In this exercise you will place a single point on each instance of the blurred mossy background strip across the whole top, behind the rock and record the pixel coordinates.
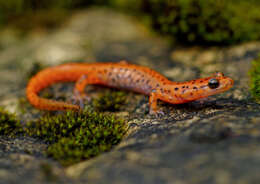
(210, 22)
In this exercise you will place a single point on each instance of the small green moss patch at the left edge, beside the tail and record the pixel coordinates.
(9, 125)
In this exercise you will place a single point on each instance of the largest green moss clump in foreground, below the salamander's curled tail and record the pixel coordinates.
(77, 136)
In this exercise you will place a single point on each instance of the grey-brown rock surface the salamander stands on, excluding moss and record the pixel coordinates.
(215, 141)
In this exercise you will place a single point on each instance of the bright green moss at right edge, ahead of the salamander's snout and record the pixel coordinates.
(255, 79)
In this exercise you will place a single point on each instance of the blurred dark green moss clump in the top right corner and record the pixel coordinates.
(205, 21)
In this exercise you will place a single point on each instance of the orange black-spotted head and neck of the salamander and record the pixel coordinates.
(199, 88)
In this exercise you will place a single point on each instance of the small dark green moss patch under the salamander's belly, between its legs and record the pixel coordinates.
(110, 101)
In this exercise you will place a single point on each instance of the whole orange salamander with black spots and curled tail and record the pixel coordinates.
(122, 75)
